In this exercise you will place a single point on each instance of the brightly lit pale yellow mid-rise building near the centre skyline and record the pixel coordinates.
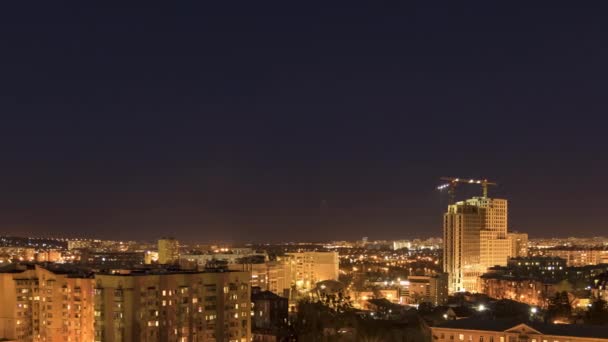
(309, 268)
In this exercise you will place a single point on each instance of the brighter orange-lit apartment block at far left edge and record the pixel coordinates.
(39, 304)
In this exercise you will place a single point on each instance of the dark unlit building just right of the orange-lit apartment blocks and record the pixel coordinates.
(269, 318)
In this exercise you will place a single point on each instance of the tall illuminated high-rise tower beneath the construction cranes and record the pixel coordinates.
(475, 238)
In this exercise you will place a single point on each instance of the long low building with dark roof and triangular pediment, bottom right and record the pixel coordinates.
(475, 329)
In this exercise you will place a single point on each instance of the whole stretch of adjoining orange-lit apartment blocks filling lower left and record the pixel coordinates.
(65, 303)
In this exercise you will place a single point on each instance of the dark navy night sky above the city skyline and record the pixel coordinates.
(281, 121)
